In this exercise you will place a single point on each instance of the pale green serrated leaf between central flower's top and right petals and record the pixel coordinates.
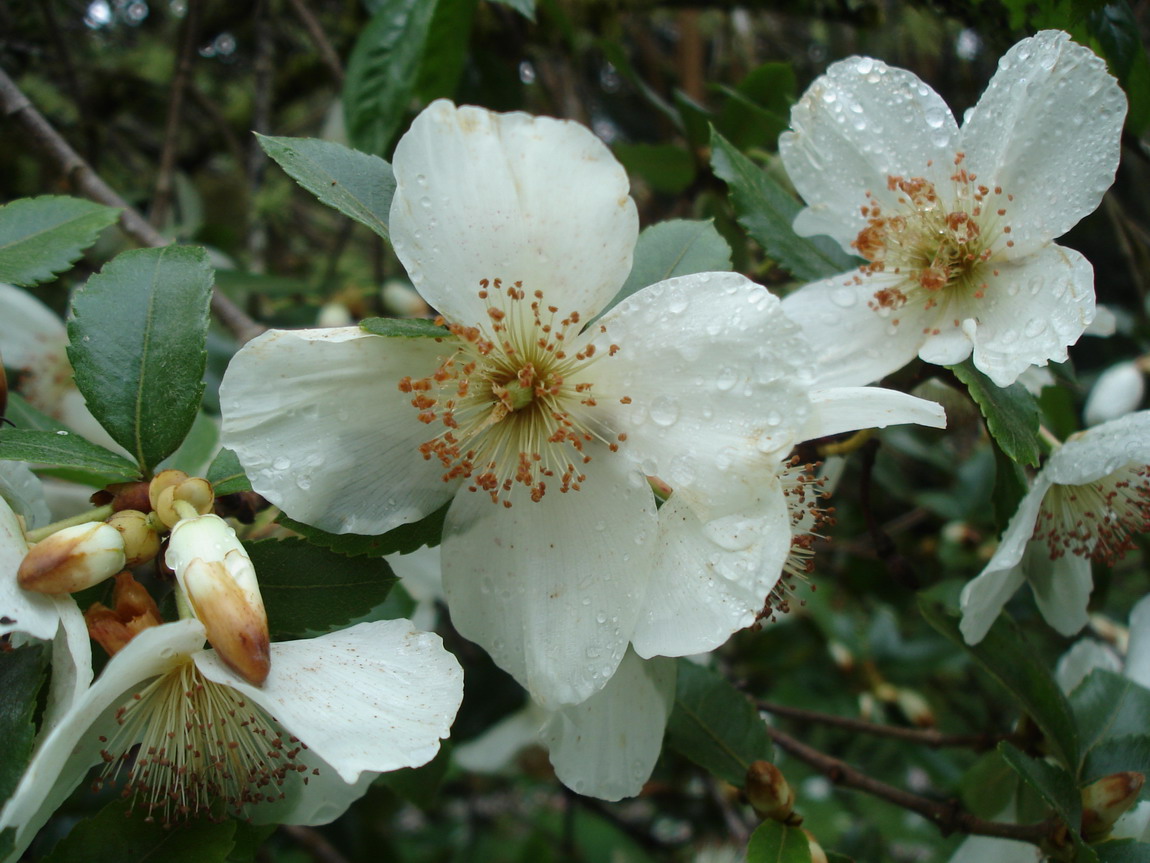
(678, 248)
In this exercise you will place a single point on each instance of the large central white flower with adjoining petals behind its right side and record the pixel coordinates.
(540, 430)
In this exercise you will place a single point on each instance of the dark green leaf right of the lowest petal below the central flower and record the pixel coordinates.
(716, 725)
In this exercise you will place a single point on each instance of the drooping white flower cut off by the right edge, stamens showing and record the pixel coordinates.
(1090, 497)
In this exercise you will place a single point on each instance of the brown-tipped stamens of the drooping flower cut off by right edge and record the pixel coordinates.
(1098, 518)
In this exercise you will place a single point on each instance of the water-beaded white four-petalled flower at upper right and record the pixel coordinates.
(955, 225)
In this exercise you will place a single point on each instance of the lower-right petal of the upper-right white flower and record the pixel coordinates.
(1036, 308)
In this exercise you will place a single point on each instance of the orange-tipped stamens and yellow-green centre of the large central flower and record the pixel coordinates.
(515, 399)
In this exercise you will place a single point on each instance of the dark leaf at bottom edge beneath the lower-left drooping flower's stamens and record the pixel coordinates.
(139, 841)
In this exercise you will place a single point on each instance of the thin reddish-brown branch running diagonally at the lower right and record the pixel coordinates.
(946, 815)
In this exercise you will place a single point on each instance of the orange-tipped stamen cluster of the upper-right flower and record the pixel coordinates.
(939, 243)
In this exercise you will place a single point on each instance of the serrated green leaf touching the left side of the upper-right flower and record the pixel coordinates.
(768, 211)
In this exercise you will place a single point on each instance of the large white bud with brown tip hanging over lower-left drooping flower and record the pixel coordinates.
(219, 581)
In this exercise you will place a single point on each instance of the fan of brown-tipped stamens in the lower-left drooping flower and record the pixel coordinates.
(204, 751)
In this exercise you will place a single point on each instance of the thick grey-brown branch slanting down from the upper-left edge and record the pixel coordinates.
(86, 181)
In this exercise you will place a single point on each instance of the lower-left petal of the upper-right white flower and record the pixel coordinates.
(853, 343)
